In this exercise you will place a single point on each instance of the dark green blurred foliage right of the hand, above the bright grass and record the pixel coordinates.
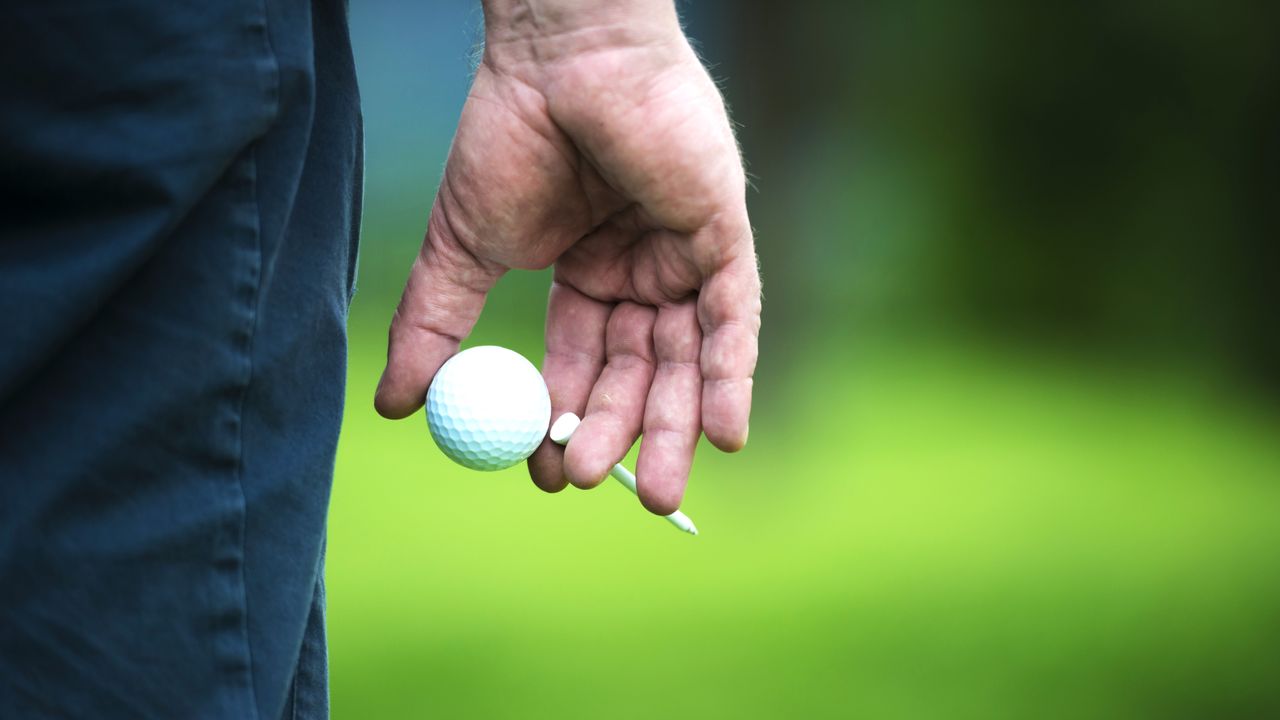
(1098, 174)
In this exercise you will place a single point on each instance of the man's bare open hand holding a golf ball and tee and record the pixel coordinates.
(606, 151)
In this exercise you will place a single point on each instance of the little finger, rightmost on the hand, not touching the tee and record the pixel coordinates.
(729, 311)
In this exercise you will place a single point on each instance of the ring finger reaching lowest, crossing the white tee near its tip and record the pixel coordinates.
(671, 417)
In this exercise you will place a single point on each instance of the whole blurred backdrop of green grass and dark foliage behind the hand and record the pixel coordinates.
(1016, 443)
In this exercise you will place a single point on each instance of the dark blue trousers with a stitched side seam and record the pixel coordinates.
(180, 185)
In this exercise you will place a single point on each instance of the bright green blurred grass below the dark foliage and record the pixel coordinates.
(917, 532)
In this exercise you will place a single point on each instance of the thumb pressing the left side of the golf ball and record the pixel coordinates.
(442, 300)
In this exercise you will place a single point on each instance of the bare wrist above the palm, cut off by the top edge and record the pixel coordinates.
(538, 33)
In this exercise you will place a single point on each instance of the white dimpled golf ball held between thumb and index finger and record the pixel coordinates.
(488, 408)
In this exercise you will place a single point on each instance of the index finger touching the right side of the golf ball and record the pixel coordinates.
(575, 356)
